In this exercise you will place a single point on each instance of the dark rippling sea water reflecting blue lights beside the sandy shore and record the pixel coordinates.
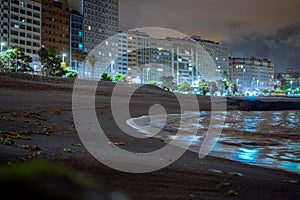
(263, 138)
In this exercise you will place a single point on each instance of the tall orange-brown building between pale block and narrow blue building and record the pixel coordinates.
(56, 27)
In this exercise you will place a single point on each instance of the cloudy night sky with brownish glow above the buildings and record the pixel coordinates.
(261, 28)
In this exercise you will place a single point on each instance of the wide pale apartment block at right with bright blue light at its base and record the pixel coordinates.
(252, 74)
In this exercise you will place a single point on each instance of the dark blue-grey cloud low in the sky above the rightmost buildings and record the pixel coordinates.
(282, 48)
